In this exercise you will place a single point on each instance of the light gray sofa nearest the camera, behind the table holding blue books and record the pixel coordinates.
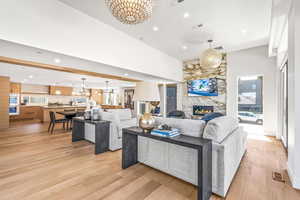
(229, 146)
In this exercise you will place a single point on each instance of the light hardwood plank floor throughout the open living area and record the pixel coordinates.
(37, 165)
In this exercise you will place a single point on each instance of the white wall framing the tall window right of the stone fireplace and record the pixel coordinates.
(251, 62)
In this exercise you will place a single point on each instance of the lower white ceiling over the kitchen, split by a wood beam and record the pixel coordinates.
(49, 77)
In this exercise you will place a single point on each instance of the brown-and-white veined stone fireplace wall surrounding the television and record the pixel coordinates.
(193, 71)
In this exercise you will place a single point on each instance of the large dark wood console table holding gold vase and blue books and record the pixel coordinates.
(203, 146)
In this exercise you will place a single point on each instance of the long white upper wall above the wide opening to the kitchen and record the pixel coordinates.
(54, 26)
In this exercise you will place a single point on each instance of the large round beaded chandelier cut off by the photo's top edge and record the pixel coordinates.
(130, 11)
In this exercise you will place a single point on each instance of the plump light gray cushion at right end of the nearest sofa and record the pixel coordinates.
(219, 128)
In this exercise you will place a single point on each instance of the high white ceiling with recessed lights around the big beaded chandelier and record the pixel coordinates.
(233, 24)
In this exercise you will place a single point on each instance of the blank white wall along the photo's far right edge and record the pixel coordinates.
(294, 95)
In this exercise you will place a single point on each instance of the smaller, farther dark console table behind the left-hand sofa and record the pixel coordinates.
(96, 132)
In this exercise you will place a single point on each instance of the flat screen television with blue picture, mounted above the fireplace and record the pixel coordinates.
(203, 87)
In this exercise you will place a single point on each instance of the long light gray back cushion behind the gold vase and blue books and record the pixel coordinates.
(186, 126)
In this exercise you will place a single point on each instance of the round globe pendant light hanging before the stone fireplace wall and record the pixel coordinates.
(211, 58)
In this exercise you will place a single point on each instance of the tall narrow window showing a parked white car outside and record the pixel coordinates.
(250, 104)
